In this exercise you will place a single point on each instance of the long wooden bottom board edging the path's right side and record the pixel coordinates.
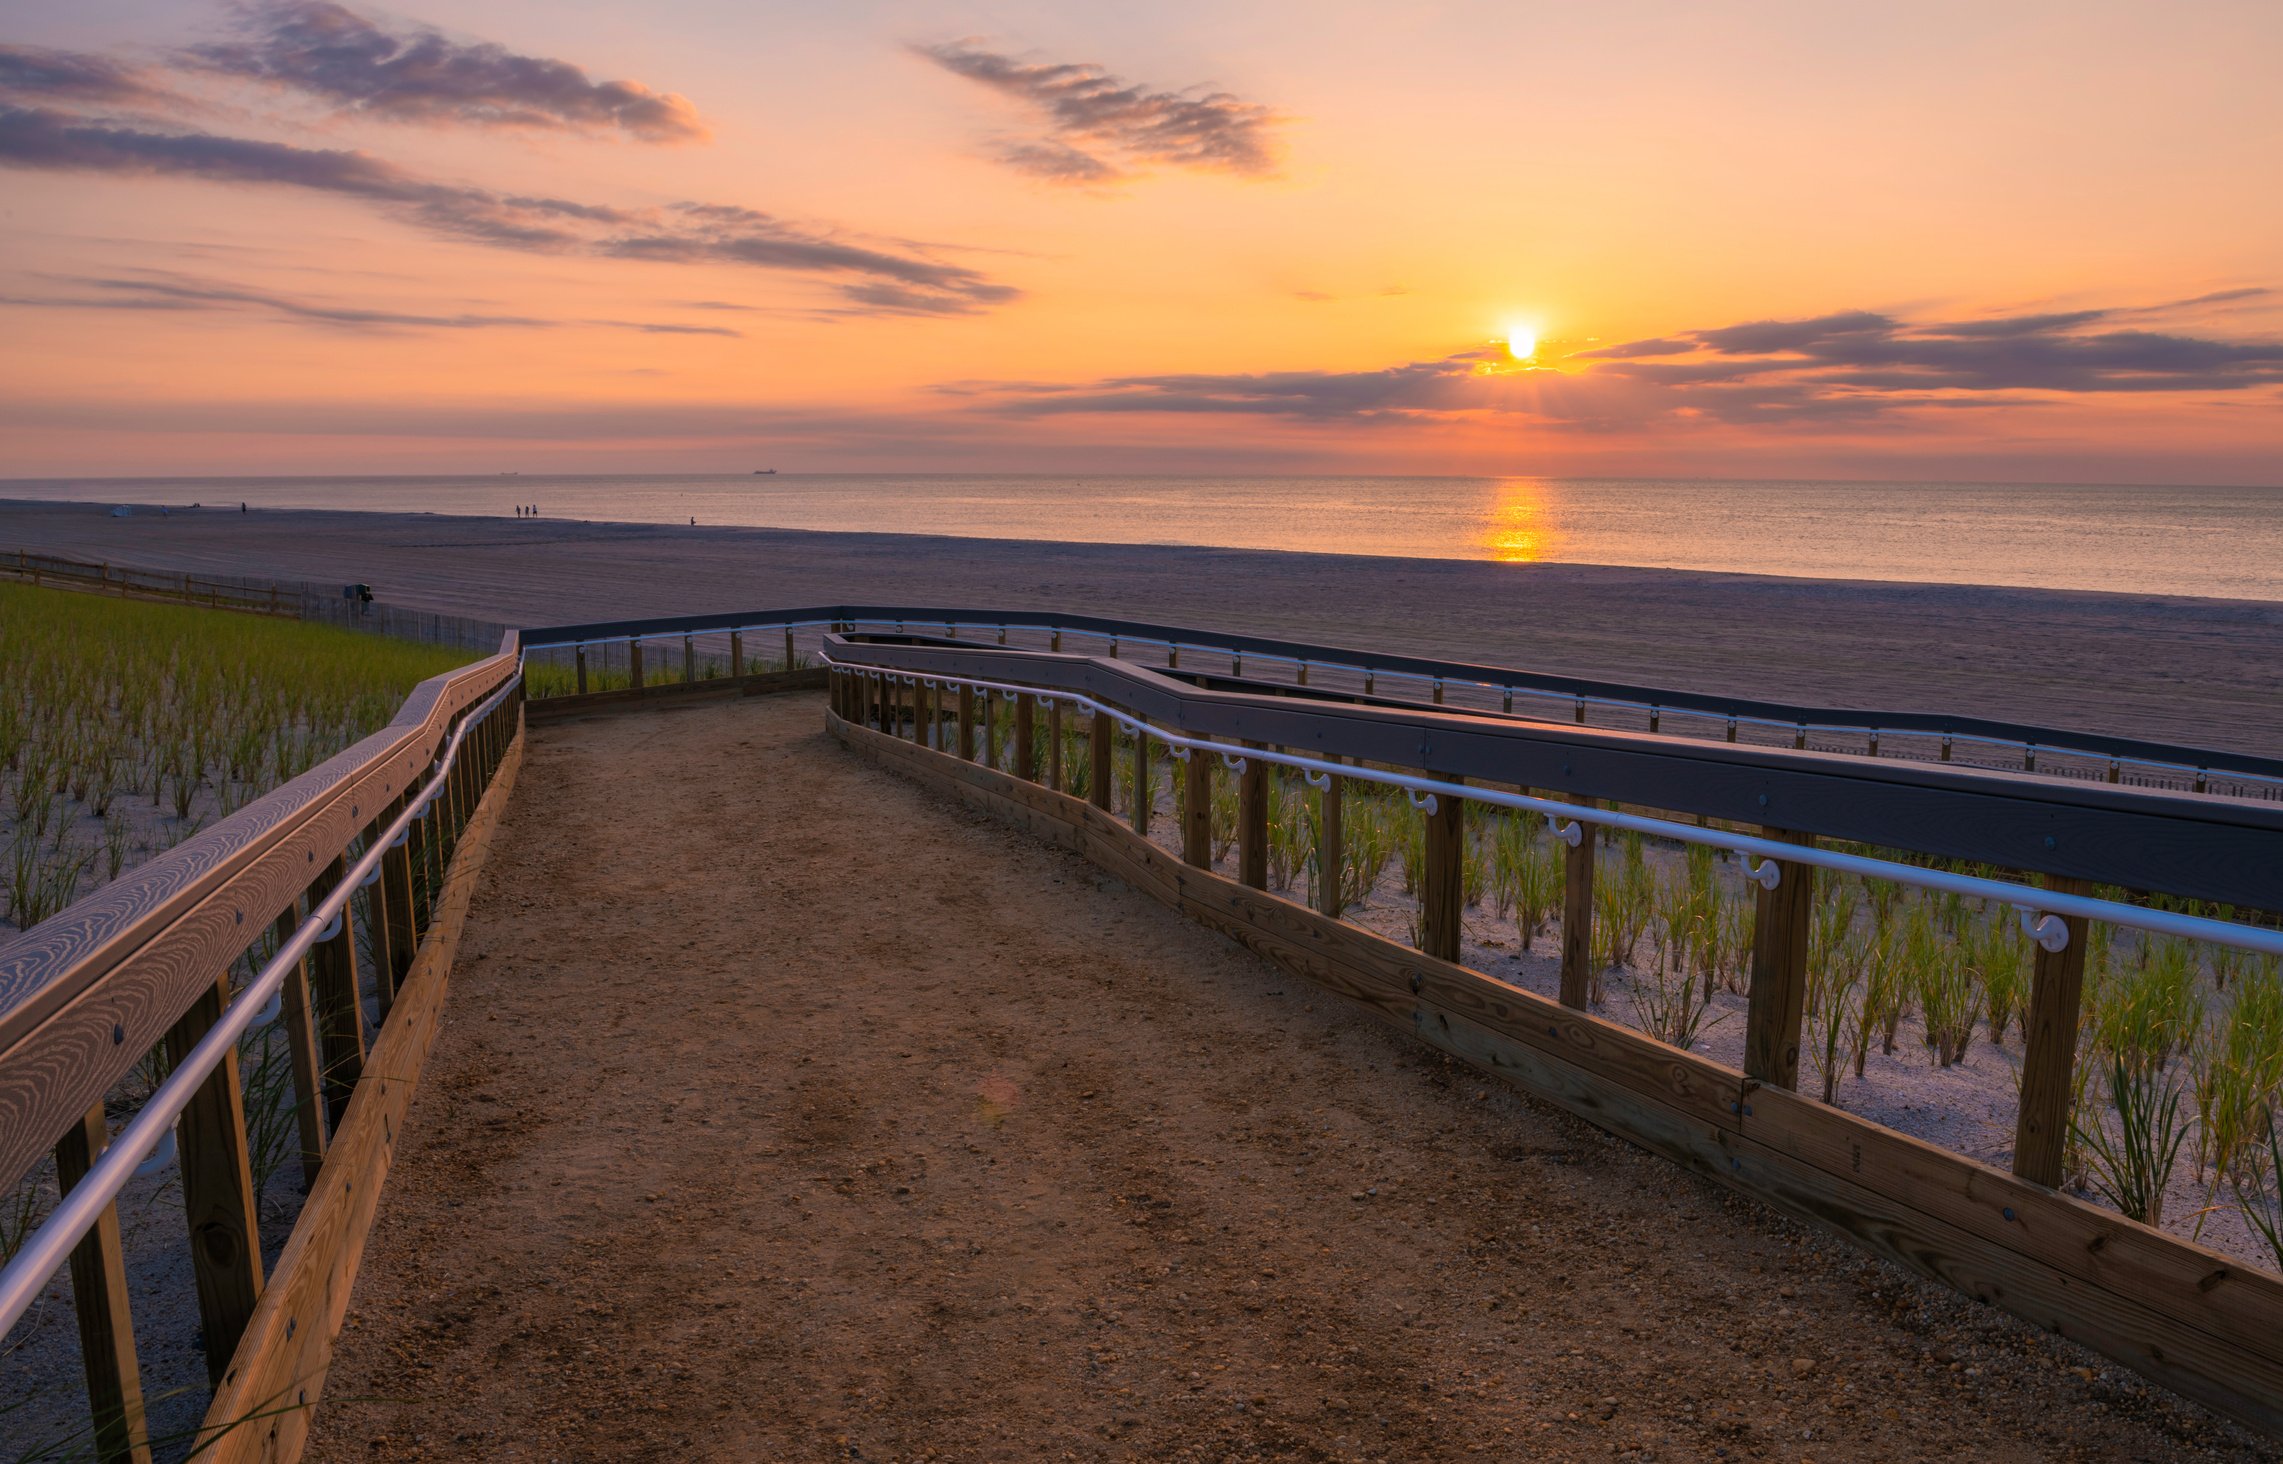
(2186, 1317)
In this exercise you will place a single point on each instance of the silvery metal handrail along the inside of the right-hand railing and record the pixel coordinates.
(2031, 901)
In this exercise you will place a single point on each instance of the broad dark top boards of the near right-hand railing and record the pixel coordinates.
(2143, 839)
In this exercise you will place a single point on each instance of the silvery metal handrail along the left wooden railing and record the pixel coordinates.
(154, 1127)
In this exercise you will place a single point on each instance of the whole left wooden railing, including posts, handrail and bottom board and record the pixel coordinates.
(145, 965)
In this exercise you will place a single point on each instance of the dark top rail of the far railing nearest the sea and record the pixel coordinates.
(1736, 711)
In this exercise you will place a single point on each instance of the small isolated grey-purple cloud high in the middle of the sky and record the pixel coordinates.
(1102, 127)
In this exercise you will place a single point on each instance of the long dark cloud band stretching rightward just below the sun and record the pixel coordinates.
(1837, 371)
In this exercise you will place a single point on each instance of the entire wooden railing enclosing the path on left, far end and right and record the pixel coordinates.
(145, 963)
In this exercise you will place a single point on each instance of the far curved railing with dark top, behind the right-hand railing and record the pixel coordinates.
(1864, 732)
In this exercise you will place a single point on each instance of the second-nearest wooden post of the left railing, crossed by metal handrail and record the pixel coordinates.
(218, 1187)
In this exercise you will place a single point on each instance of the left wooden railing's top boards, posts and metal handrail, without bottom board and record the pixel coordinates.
(145, 963)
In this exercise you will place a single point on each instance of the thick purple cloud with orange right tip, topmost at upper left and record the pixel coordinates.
(423, 77)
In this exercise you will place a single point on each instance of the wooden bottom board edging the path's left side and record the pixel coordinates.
(275, 1378)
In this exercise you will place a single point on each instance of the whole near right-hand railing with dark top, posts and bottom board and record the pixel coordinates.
(2188, 1317)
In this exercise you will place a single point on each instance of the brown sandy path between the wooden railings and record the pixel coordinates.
(786, 1111)
